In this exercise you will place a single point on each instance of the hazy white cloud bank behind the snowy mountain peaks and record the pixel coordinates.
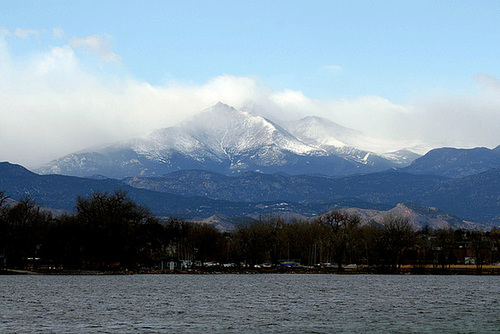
(56, 102)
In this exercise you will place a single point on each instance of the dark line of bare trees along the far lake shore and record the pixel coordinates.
(111, 232)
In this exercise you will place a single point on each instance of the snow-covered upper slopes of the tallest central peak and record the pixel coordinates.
(221, 131)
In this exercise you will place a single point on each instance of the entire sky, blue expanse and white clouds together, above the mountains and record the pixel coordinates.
(355, 62)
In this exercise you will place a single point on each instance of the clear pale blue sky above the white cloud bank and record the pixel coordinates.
(327, 49)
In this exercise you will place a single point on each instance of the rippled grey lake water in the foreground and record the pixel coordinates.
(265, 303)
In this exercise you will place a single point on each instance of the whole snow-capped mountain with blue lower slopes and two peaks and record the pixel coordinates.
(226, 140)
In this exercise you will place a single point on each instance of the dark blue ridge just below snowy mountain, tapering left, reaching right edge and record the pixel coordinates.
(472, 197)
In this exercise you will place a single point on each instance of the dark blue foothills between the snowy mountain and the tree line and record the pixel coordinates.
(474, 197)
